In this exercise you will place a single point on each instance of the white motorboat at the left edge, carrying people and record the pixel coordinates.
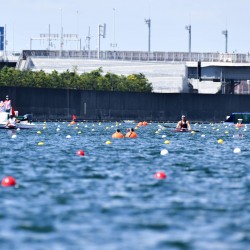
(25, 121)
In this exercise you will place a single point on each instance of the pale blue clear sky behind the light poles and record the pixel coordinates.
(125, 22)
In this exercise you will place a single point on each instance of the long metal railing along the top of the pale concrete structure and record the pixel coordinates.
(141, 56)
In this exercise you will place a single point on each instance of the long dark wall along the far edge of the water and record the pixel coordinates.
(56, 104)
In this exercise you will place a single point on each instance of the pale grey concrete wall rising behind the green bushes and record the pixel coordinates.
(165, 77)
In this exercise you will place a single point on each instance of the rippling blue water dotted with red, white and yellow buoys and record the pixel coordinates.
(109, 199)
